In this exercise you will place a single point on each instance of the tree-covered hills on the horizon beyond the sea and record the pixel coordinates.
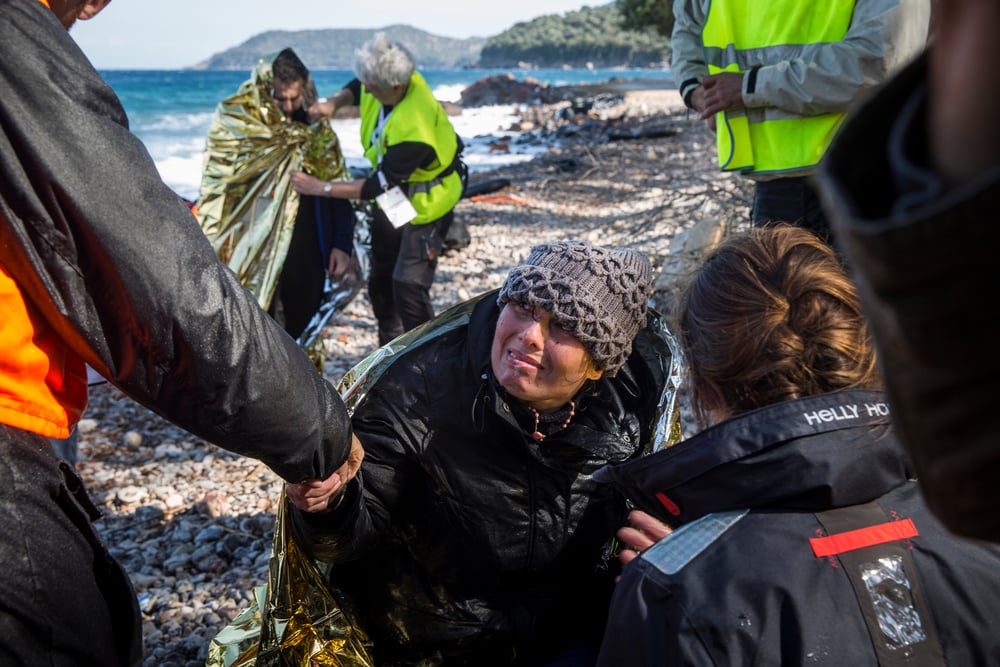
(624, 33)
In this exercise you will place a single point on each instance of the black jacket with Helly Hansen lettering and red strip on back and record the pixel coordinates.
(753, 575)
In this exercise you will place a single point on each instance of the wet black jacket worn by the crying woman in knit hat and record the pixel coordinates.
(462, 537)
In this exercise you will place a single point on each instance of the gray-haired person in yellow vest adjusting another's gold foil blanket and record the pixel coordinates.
(417, 178)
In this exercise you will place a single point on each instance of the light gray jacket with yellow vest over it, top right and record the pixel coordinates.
(804, 64)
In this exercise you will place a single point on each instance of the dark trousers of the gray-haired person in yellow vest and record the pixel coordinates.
(403, 262)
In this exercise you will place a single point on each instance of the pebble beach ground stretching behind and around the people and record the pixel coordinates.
(192, 523)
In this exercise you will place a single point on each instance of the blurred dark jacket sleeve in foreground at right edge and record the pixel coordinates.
(925, 260)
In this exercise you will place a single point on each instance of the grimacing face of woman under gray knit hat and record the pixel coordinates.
(535, 360)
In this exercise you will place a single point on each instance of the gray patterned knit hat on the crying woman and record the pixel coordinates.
(598, 295)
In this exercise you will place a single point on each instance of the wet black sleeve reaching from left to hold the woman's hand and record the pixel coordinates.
(114, 261)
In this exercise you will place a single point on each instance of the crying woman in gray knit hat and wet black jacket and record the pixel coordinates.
(474, 532)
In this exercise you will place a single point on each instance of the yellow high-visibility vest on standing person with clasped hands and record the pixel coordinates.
(740, 35)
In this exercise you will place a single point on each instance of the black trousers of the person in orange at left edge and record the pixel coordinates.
(64, 600)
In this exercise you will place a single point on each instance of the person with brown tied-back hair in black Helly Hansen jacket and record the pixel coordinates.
(799, 536)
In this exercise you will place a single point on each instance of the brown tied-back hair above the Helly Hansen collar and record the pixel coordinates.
(771, 316)
